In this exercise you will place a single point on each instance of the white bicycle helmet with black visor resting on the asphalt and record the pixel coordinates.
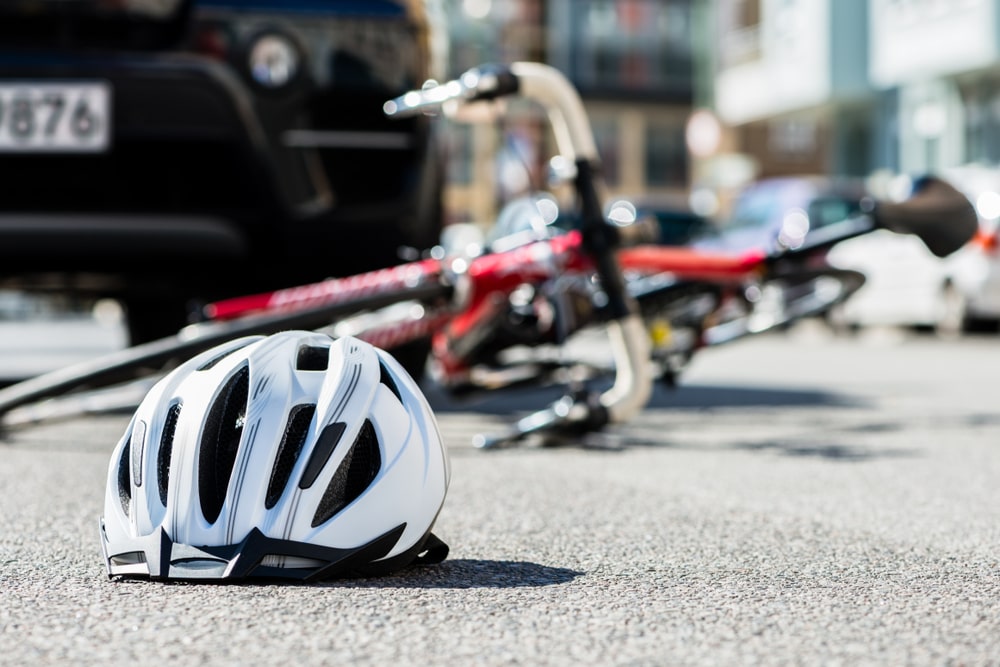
(289, 456)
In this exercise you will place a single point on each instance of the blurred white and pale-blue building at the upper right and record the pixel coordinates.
(858, 87)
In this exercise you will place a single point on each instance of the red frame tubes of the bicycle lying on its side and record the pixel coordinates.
(481, 286)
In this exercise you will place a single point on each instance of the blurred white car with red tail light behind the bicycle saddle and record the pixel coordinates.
(908, 286)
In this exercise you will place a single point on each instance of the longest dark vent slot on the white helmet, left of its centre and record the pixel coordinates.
(220, 441)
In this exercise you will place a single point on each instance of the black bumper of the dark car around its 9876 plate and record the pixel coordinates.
(193, 167)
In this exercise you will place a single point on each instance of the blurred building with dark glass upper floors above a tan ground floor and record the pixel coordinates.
(632, 61)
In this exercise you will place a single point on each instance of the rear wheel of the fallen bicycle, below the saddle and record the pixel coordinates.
(782, 299)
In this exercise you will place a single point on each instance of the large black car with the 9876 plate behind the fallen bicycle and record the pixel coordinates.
(165, 151)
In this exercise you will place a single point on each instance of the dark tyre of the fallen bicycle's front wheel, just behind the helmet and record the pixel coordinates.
(153, 357)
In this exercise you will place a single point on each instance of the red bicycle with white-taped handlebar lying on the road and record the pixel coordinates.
(540, 291)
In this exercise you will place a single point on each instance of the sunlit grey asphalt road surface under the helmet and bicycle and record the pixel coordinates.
(800, 500)
